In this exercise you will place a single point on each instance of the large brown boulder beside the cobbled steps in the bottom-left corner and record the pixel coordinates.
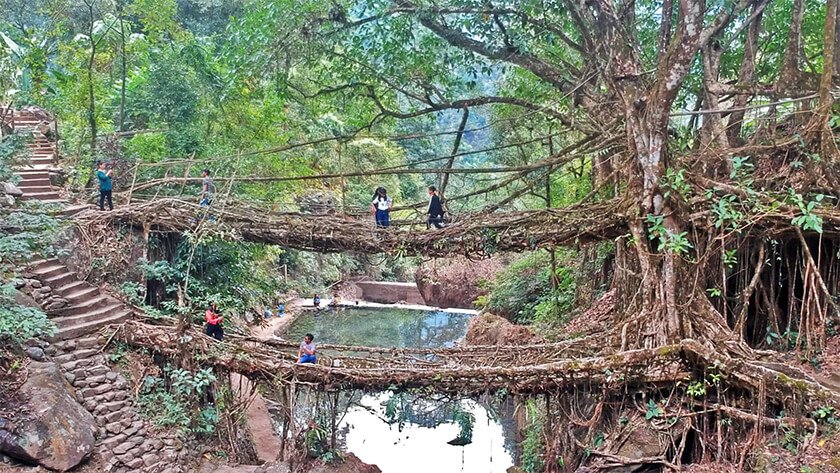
(52, 429)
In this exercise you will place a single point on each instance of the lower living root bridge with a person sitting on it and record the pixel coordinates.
(480, 369)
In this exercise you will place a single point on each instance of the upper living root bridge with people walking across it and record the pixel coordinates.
(472, 234)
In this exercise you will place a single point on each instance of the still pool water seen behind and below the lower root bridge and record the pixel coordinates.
(420, 445)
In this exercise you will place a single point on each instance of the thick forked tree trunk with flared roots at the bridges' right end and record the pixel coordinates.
(653, 278)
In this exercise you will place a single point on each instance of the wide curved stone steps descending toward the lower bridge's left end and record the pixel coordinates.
(77, 307)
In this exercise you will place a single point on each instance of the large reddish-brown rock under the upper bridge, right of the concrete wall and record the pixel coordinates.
(455, 282)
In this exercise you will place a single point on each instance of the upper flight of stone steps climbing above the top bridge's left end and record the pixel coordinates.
(35, 176)
